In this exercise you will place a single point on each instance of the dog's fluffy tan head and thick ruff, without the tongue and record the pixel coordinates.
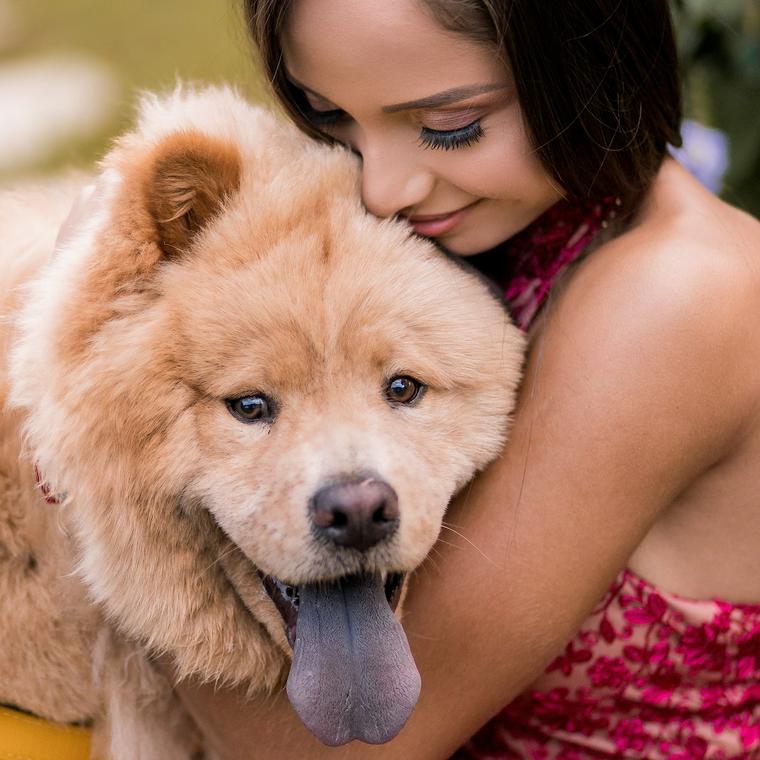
(237, 373)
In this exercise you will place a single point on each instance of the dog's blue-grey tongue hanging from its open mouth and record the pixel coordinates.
(353, 676)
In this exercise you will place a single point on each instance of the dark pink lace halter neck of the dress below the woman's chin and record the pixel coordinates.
(539, 254)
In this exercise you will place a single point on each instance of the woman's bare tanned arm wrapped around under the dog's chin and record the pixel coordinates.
(618, 414)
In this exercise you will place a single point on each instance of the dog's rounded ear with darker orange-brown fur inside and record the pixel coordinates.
(191, 176)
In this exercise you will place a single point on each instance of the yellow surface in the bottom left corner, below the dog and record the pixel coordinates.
(24, 737)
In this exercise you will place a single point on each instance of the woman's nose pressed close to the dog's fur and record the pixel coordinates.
(392, 183)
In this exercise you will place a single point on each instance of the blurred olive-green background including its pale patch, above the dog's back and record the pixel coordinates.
(128, 46)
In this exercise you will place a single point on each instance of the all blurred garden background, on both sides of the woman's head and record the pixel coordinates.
(130, 45)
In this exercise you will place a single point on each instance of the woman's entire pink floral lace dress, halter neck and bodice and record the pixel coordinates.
(650, 675)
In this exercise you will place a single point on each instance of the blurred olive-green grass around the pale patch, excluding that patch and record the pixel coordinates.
(148, 44)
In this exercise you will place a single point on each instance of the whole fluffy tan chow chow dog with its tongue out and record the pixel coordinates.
(235, 408)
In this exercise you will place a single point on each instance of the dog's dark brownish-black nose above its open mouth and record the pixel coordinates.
(356, 513)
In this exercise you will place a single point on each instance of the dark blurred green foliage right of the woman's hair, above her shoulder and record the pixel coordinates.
(719, 42)
